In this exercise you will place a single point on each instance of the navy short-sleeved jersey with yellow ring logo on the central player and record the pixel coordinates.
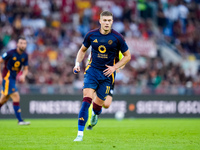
(105, 48)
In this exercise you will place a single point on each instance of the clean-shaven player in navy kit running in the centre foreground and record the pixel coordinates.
(100, 72)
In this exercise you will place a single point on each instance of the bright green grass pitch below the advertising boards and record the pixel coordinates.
(108, 134)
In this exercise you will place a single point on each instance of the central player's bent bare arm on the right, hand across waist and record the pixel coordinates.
(127, 57)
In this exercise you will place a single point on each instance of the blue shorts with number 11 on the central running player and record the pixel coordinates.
(95, 79)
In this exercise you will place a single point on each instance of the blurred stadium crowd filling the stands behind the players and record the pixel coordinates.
(55, 30)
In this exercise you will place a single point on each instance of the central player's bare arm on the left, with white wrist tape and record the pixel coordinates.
(79, 58)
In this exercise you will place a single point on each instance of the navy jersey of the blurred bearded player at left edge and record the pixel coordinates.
(13, 63)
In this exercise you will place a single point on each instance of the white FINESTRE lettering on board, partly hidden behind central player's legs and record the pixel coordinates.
(70, 107)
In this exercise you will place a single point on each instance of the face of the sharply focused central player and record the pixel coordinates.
(106, 22)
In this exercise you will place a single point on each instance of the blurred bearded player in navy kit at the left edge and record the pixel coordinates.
(13, 61)
